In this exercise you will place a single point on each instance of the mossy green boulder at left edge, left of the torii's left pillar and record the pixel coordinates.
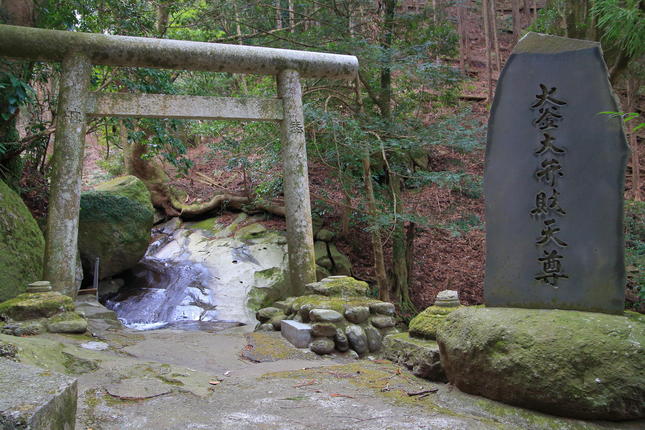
(22, 245)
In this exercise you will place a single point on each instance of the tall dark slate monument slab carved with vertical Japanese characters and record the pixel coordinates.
(554, 181)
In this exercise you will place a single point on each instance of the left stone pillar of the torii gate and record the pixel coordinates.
(61, 247)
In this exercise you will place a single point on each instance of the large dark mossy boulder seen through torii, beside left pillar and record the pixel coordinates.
(115, 223)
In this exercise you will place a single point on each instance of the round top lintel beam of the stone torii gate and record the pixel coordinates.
(54, 45)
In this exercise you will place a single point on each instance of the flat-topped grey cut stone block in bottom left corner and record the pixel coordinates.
(33, 398)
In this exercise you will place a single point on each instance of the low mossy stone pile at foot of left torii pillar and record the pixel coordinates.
(39, 310)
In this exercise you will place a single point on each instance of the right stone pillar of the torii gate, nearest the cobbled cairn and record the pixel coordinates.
(300, 238)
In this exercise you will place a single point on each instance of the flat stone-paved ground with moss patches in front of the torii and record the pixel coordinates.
(236, 379)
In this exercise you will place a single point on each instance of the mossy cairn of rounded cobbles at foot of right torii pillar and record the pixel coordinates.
(335, 315)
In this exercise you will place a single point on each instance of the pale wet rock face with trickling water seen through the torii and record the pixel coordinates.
(210, 276)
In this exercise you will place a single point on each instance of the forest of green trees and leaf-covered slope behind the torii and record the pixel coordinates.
(396, 156)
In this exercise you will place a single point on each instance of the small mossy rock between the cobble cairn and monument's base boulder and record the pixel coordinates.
(420, 356)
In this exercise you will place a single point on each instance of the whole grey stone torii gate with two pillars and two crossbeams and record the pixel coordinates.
(79, 51)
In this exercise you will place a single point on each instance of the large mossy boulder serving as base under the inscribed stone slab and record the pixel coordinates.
(575, 364)
